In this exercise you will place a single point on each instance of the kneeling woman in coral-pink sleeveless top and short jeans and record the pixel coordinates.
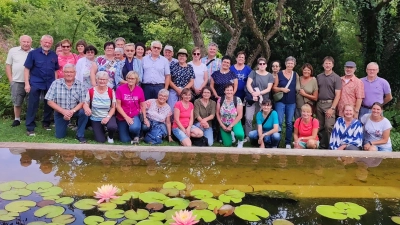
(182, 126)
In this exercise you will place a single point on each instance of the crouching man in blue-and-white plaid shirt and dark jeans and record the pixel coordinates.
(66, 96)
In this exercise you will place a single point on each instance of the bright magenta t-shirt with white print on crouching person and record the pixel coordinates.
(130, 100)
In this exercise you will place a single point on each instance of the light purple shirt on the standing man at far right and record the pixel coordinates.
(375, 90)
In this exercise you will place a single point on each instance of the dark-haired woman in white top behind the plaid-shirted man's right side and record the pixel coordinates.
(84, 66)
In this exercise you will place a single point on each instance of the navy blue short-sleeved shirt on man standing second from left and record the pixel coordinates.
(42, 68)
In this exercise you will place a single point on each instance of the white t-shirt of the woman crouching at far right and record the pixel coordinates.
(373, 131)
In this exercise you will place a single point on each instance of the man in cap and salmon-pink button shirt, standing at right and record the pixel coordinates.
(352, 90)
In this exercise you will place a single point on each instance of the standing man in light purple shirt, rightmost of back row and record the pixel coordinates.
(378, 89)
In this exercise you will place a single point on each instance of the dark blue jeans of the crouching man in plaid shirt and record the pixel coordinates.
(61, 124)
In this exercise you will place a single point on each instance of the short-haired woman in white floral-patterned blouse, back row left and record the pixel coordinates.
(108, 63)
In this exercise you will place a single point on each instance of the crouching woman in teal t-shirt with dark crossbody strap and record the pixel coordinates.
(267, 133)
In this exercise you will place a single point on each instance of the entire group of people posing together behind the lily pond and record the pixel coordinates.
(139, 93)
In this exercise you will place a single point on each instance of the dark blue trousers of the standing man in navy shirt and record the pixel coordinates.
(33, 106)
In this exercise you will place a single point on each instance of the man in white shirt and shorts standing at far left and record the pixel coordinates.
(15, 73)
